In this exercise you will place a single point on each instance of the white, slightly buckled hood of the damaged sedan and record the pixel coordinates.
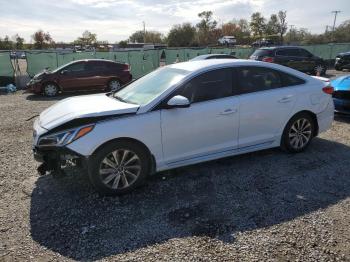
(83, 107)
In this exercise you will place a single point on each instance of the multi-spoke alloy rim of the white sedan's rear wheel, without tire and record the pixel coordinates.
(300, 133)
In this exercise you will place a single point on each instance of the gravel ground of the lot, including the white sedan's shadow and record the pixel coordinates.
(266, 205)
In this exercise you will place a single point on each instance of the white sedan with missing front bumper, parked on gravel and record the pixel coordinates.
(183, 114)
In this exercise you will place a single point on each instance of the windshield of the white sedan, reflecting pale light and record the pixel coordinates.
(147, 88)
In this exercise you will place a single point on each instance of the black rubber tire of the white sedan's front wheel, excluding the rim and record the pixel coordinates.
(96, 159)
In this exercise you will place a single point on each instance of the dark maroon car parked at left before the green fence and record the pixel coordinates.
(90, 74)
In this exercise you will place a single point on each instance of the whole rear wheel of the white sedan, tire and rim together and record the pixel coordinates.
(298, 133)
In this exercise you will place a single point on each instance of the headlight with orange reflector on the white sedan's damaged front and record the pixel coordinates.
(65, 137)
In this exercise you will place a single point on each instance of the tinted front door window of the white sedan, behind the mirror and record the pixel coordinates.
(208, 86)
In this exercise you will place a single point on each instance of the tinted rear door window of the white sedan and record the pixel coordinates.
(255, 79)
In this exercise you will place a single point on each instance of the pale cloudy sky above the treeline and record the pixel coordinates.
(115, 20)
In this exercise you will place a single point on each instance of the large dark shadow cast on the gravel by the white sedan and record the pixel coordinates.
(214, 199)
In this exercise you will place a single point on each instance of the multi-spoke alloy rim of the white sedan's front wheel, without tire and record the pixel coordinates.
(120, 169)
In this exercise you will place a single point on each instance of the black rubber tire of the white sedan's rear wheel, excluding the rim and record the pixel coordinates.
(285, 142)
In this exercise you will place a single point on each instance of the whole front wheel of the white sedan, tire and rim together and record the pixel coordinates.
(110, 178)
